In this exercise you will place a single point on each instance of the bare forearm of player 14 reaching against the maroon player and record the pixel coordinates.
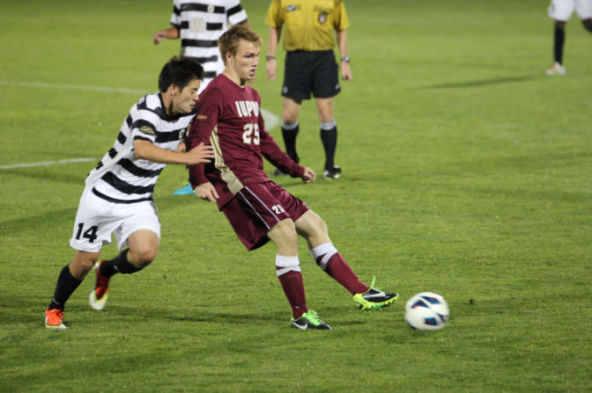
(200, 154)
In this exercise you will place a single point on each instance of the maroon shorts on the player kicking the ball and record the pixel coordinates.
(256, 208)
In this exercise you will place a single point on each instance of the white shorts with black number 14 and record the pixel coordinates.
(98, 219)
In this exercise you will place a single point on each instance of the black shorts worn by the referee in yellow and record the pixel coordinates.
(310, 72)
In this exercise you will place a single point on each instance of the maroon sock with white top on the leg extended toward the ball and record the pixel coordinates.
(331, 261)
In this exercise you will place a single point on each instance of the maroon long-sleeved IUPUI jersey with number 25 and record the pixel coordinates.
(229, 118)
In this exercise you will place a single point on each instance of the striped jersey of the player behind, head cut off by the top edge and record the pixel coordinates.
(200, 24)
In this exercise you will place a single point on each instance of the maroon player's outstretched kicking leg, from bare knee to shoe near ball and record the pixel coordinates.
(314, 230)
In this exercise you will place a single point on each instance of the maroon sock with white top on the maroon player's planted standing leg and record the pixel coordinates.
(288, 272)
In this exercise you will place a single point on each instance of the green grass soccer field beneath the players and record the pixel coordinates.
(467, 172)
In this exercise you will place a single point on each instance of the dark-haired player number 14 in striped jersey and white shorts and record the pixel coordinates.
(117, 198)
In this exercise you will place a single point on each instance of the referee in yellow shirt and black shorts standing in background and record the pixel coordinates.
(310, 66)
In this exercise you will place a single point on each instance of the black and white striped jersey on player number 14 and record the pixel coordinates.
(120, 176)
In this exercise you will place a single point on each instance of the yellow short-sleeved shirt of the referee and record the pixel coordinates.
(308, 24)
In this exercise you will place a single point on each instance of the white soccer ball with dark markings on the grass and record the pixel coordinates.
(426, 311)
